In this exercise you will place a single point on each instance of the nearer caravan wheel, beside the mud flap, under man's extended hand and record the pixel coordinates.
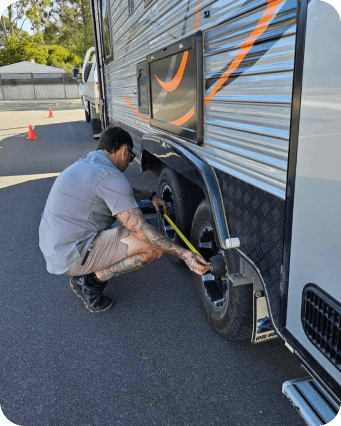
(228, 309)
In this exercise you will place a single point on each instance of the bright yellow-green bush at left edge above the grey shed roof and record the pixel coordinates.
(22, 49)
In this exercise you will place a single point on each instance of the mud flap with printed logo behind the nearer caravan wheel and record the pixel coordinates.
(262, 326)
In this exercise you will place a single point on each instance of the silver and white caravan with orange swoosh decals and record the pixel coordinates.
(235, 106)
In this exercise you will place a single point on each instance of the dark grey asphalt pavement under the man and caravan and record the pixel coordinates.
(151, 360)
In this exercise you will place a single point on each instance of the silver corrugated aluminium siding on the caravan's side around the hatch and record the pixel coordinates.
(247, 122)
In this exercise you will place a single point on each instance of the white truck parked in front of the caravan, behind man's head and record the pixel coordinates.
(90, 92)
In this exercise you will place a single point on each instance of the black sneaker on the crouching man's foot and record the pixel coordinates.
(94, 299)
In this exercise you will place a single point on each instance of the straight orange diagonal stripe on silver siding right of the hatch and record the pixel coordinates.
(246, 46)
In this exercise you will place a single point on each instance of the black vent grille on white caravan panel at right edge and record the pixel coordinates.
(321, 319)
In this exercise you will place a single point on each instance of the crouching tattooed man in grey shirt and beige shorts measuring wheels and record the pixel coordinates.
(76, 233)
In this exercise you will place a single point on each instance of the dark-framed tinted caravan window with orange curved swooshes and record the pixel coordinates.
(176, 98)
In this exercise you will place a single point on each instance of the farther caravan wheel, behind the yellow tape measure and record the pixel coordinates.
(181, 204)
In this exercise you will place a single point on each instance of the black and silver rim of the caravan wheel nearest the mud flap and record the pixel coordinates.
(215, 289)
